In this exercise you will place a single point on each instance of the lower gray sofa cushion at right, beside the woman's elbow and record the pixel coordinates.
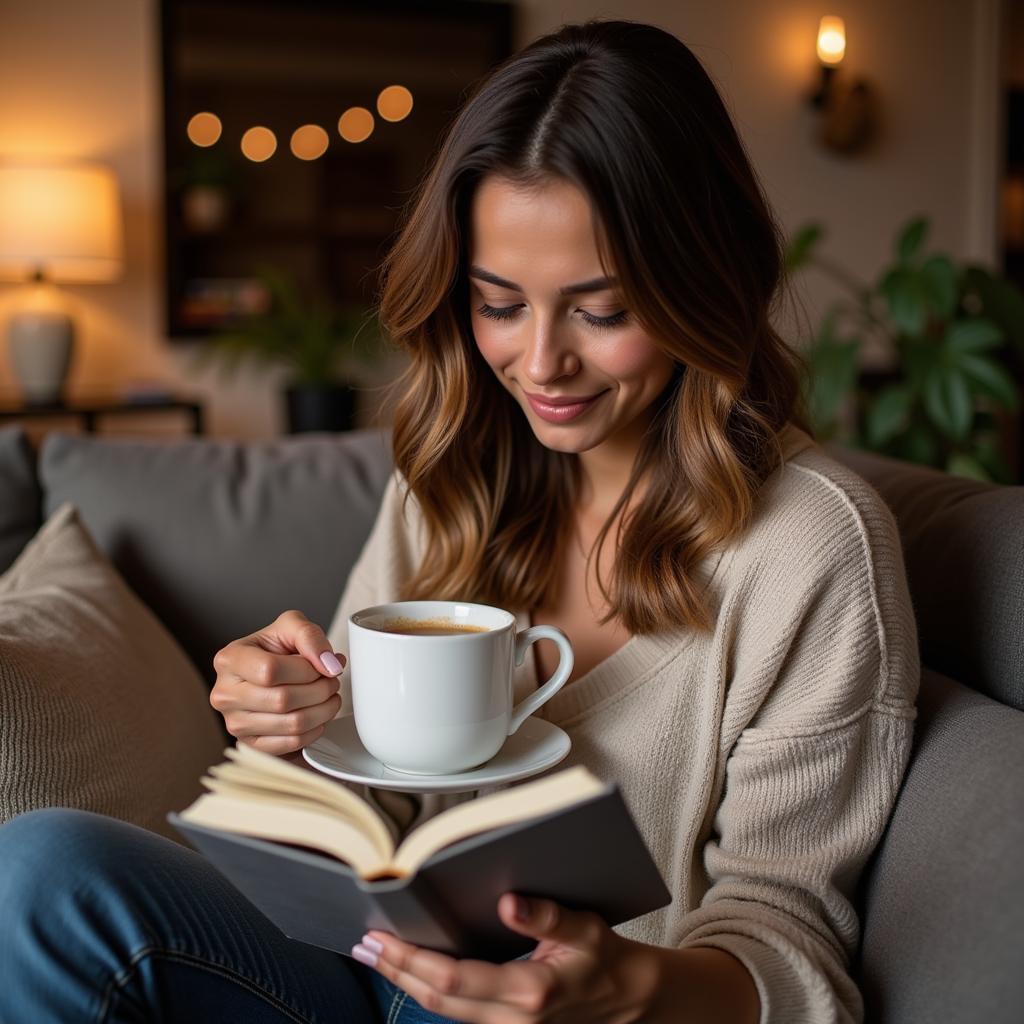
(945, 910)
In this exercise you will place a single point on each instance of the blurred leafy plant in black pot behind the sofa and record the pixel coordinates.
(321, 345)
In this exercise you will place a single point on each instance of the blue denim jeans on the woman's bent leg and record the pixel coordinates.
(103, 922)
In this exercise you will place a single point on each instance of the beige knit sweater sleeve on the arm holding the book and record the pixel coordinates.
(821, 708)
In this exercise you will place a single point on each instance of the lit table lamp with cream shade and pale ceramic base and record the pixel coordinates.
(59, 224)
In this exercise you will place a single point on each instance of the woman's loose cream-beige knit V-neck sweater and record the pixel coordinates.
(761, 762)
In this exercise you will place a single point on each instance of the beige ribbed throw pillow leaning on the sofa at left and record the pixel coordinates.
(100, 707)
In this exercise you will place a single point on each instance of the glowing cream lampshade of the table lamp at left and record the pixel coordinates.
(63, 221)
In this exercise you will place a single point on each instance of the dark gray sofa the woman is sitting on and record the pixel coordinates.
(218, 538)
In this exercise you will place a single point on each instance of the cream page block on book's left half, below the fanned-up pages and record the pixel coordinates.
(288, 823)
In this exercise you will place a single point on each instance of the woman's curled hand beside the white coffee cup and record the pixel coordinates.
(273, 689)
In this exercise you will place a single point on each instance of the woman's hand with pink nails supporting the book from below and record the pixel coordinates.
(581, 971)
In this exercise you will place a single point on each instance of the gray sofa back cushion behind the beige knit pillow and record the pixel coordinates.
(220, 537)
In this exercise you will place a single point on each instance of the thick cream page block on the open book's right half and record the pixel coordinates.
(528, 800)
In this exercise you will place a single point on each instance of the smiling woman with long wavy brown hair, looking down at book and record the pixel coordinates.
(600, 430)
